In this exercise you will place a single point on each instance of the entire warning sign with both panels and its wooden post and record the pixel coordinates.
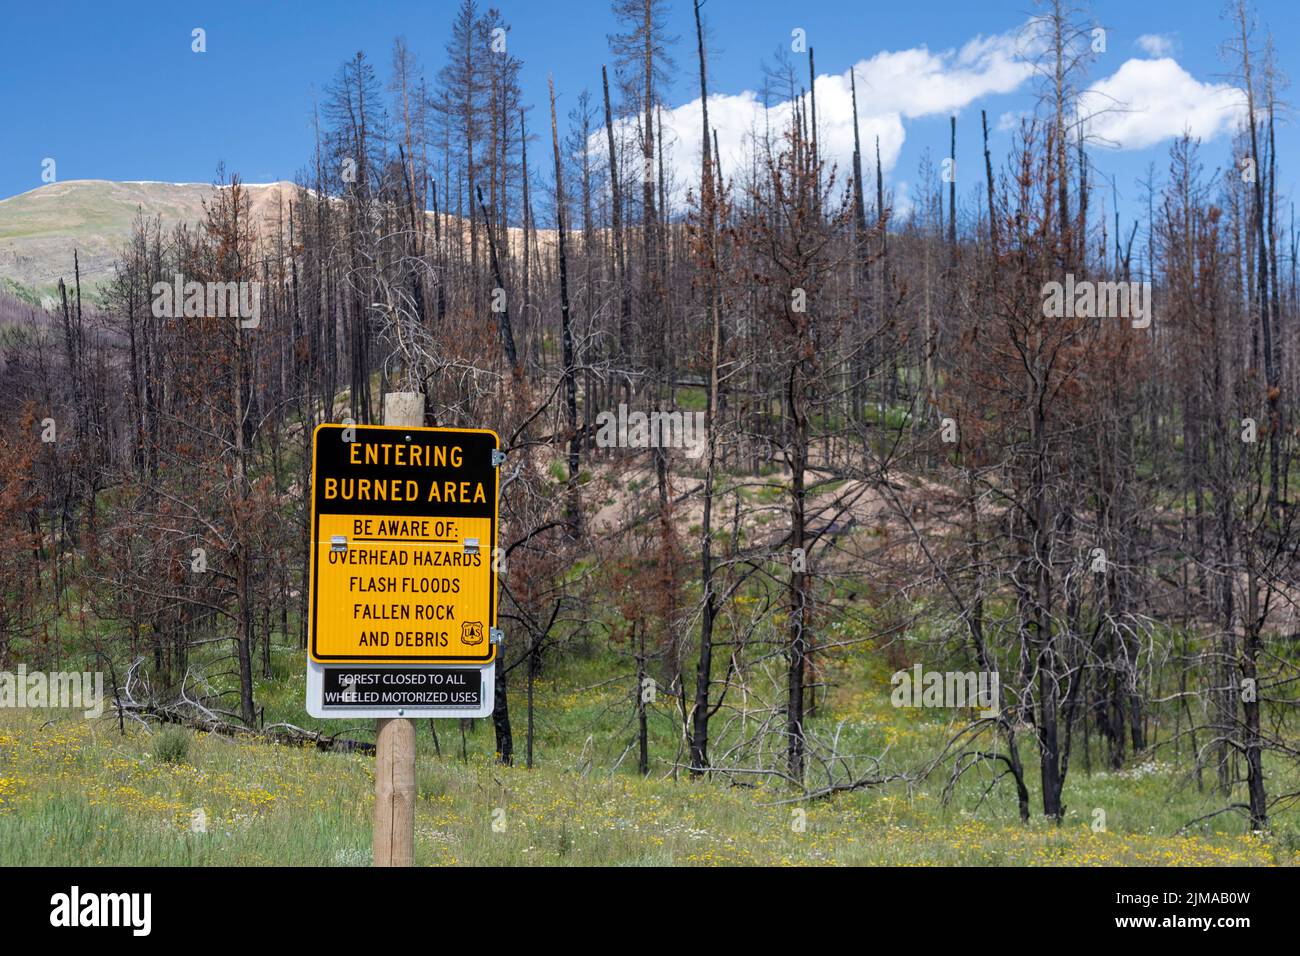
(404, 590)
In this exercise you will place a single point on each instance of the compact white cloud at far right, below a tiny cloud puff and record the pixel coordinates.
(1146, 102)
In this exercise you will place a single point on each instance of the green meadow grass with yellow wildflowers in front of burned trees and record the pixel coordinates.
(76, 791)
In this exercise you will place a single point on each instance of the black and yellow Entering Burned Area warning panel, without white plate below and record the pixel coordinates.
(405, 526)
